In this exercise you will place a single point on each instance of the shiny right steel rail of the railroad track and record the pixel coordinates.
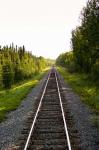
(63, 115)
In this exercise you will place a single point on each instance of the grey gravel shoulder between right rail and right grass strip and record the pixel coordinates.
(89, 134)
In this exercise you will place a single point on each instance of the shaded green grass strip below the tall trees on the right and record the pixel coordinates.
(86, 88)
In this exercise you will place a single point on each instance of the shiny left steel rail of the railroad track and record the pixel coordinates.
(34, 120)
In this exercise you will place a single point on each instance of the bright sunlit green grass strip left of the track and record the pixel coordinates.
(11, 99)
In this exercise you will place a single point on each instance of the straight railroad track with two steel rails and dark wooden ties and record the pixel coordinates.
(49, 129)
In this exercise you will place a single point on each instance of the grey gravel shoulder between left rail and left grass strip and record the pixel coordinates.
(10, 129)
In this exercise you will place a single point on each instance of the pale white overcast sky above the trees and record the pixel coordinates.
(43, 26)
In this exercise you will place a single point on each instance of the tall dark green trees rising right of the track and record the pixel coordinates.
(85, 40)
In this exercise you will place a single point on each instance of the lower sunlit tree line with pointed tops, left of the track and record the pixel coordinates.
(17, 64)
